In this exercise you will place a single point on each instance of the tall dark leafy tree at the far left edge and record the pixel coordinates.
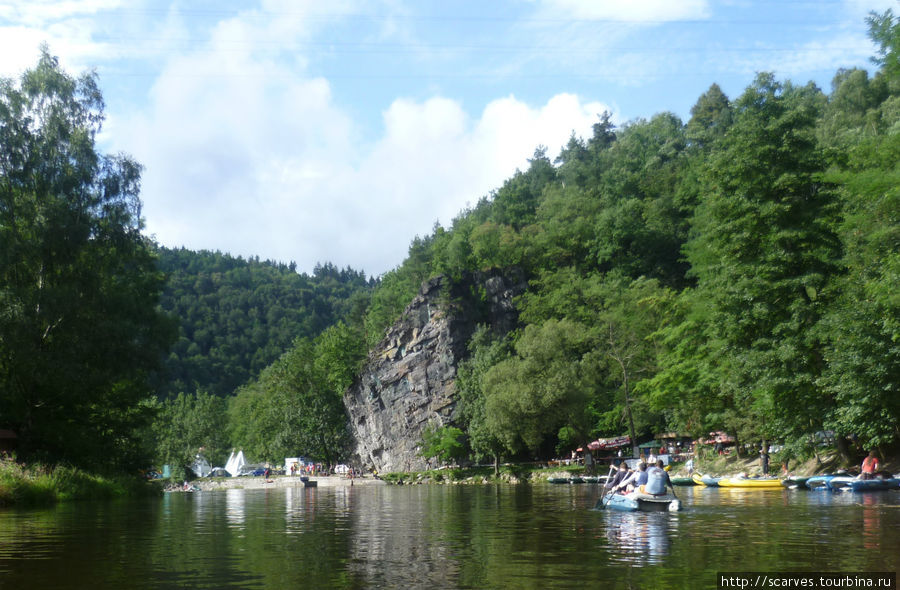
(79, 327)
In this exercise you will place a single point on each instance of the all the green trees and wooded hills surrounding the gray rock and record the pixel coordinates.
(736, 271)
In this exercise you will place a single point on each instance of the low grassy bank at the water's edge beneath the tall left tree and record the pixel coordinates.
(41, 485)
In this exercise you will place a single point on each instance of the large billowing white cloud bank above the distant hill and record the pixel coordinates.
(274, 170)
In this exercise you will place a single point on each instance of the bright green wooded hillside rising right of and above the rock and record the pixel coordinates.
(737, 271)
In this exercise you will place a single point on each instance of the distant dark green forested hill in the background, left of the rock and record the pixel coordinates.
(237, 316)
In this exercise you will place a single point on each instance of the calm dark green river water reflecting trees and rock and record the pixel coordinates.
(432, 536)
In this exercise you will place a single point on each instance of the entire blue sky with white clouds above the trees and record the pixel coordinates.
(337, 131)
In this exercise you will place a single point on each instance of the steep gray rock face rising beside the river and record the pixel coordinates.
(409, 379)
